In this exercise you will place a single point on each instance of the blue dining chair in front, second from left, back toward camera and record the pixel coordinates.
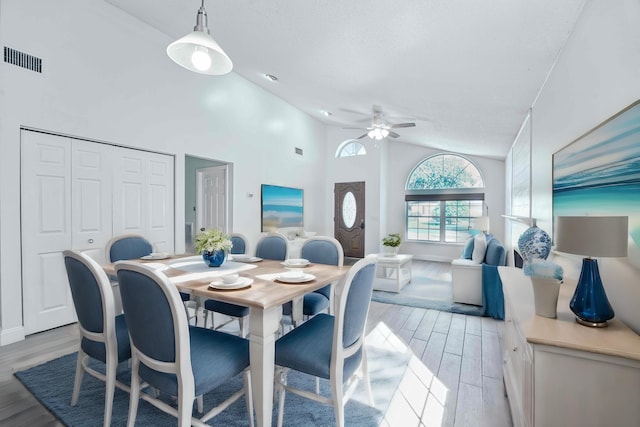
(170, 355)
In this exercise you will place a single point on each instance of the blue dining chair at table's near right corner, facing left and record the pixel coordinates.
(331, 347)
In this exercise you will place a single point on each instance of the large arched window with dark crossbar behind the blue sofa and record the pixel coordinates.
(444, 193)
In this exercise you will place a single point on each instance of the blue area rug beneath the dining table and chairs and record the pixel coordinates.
(52, 383)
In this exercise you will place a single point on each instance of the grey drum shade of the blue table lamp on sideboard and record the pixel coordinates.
(592, 236)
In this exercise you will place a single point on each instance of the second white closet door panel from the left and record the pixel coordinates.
(91, 198)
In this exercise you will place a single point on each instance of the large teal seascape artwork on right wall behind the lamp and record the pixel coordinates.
(599, 174)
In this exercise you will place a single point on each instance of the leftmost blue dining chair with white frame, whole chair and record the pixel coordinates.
(103, 335)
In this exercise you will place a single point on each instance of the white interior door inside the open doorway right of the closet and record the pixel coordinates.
(211, 198)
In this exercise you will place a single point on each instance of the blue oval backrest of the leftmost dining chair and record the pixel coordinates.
(92, 298)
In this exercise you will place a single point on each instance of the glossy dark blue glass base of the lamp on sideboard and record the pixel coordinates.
(589, 302)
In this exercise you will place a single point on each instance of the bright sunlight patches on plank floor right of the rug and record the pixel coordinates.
(421, 397)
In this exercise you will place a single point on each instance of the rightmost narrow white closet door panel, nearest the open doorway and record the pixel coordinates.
(160, 205)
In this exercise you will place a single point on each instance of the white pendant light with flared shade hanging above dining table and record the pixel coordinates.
(198, 51)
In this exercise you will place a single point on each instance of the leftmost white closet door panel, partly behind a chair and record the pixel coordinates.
(46, 230)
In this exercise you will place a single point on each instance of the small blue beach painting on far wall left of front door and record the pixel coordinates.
(282, 207)
